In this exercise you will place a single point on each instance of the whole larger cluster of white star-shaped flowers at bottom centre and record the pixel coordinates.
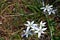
(34, 27)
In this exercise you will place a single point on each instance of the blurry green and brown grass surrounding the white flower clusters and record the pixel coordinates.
(14, 13)
